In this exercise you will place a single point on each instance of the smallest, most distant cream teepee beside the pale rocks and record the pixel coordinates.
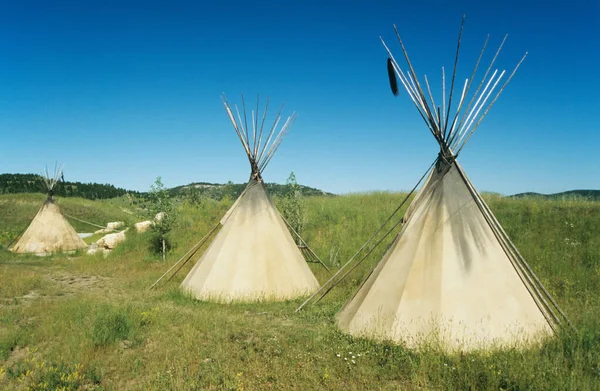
(49, 231)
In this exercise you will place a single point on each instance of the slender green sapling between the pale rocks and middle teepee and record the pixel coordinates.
(162, 212)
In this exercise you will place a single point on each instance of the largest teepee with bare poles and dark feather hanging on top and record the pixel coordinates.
(451, 276)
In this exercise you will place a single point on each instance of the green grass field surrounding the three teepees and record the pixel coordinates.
(89, 322)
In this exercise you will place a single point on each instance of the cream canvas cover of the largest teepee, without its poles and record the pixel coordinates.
(446, 278)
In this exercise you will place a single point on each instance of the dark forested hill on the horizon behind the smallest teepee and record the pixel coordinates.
(34, 183)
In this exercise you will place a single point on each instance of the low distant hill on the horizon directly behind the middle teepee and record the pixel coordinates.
(233, 190)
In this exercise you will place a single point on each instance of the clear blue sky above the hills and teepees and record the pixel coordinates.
(124, 91)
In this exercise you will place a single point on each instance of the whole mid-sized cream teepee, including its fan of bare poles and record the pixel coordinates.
(253, 257)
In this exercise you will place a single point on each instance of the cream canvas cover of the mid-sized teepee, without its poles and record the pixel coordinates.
(253, 257)
